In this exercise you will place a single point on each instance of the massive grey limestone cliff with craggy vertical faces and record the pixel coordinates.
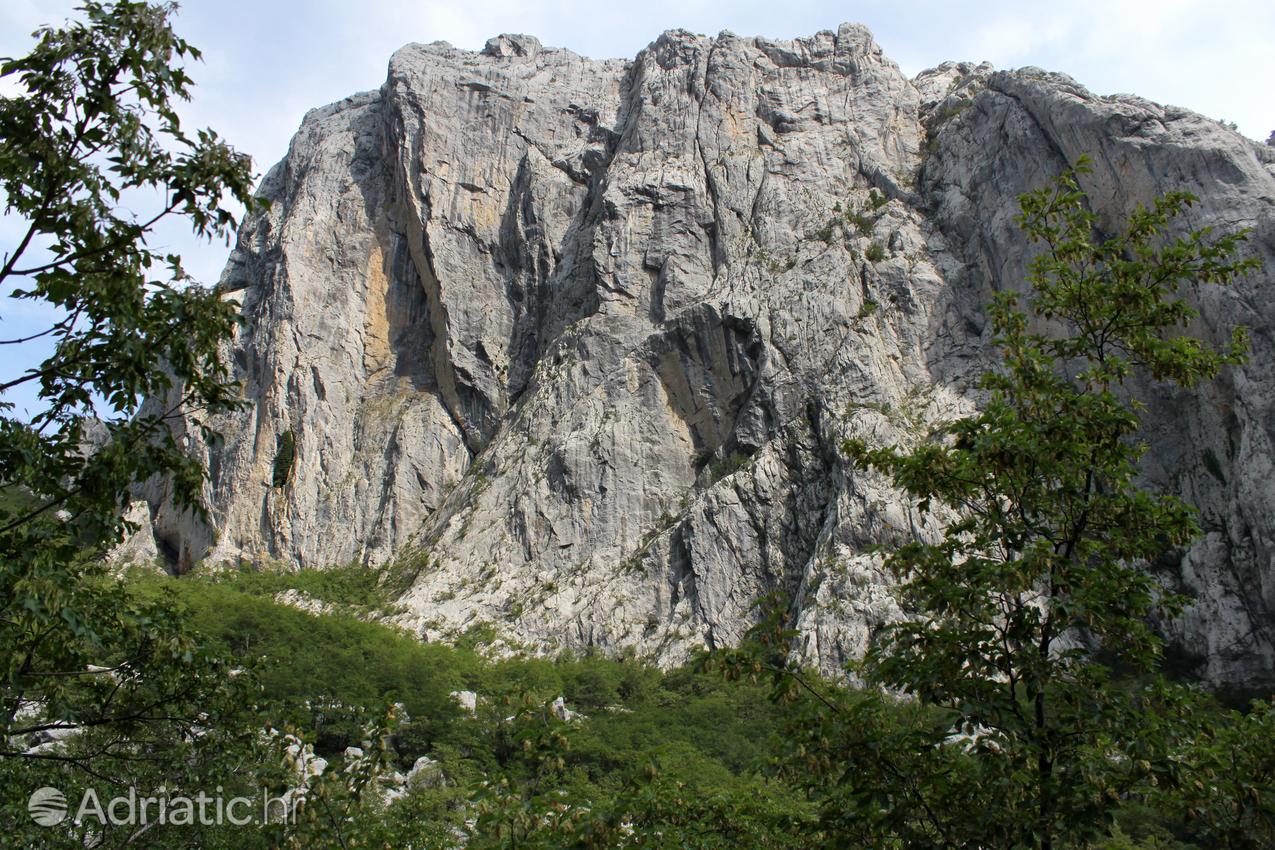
(585, 337)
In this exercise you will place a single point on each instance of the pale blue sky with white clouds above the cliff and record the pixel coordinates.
(267, 63)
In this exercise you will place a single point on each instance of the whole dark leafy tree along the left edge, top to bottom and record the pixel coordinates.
(92, 133)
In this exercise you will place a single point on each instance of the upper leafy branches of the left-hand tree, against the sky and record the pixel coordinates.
(92, 127)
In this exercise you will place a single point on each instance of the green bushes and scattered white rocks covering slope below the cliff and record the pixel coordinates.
(679, 751)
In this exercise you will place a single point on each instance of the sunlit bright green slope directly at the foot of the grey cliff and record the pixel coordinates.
(690, 723)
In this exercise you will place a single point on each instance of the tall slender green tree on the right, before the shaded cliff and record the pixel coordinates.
(1036, 572)
